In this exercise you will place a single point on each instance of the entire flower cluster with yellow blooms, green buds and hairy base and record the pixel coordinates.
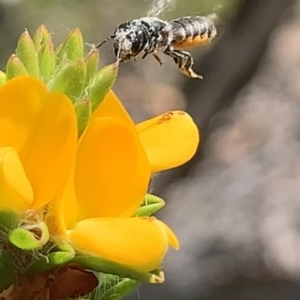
(74, 174)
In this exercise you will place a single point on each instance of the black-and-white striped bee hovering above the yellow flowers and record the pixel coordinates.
(151, 35)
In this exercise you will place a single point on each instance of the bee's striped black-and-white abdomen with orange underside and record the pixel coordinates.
(189, 32)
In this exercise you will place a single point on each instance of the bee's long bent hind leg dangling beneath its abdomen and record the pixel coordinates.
(184, 62)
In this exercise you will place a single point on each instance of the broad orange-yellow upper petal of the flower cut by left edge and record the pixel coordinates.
(41, 126)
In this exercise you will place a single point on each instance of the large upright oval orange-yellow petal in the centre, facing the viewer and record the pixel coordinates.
(112, 170)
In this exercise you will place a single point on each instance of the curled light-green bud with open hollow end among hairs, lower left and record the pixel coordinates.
(25, 238)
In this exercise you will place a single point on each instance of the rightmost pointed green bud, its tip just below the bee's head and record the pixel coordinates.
(102, 83)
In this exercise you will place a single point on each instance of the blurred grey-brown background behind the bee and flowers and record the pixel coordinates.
(236, 205)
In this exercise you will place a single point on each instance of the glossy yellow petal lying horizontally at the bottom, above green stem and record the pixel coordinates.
(137, 242)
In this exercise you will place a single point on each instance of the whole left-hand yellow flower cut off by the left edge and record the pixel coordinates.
(37, 144)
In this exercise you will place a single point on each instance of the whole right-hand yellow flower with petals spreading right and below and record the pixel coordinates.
(114, 162)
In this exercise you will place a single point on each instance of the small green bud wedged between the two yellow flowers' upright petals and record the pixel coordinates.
(83, 110)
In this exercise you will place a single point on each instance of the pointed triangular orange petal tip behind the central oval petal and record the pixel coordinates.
(112, 107)
